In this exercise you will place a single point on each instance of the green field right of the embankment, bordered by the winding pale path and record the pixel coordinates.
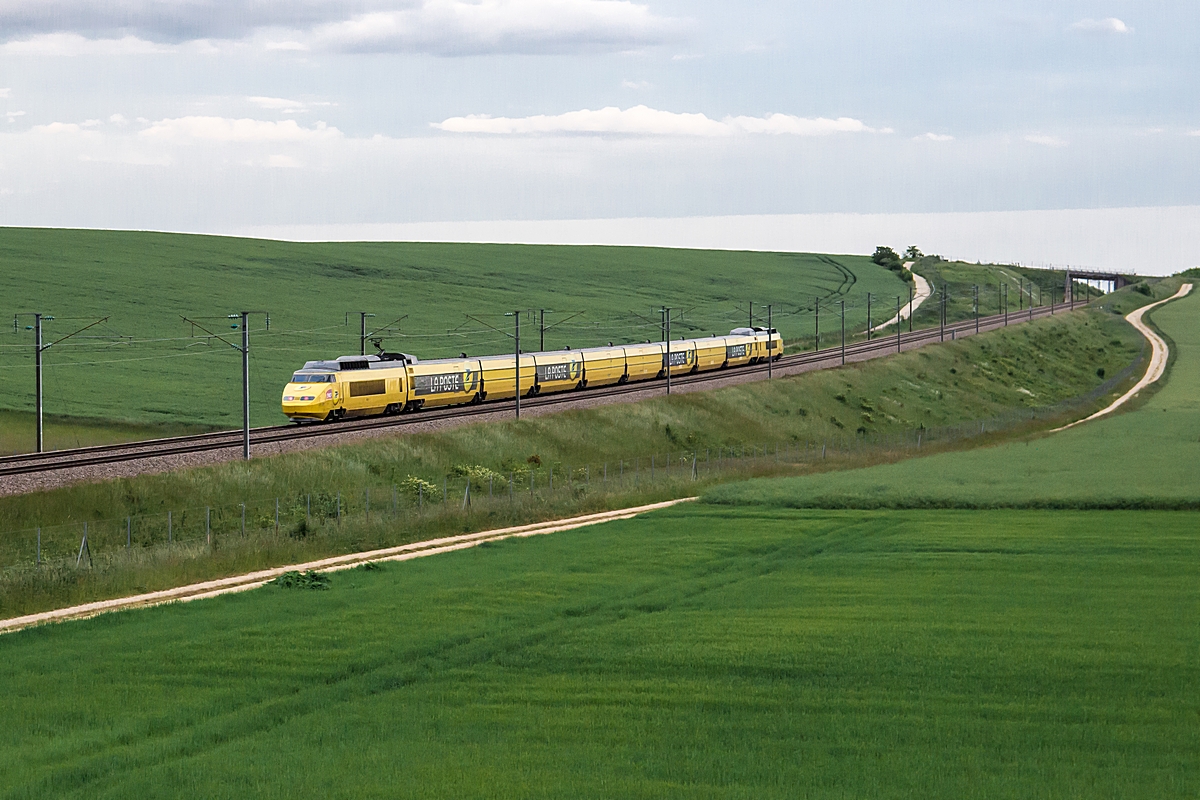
(1145, 459)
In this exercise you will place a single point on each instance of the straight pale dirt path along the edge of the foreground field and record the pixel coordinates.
(335, 564)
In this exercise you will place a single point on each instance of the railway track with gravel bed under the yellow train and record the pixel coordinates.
(74, 459)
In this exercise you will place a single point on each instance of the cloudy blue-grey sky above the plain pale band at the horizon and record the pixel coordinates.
(239, 116)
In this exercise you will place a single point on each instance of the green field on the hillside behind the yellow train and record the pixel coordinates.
(146, 365)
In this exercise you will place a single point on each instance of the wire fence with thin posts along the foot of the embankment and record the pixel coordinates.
(517, 496)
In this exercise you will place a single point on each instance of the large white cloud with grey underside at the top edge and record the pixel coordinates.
(460, 28)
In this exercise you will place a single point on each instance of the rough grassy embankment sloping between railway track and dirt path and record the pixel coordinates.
(976, 378)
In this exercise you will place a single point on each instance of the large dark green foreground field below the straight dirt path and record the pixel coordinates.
(697, 653)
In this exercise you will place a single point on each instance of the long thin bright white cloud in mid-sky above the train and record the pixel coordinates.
(649, 122)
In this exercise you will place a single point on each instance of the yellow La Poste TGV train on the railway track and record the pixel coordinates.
(392, 383)
